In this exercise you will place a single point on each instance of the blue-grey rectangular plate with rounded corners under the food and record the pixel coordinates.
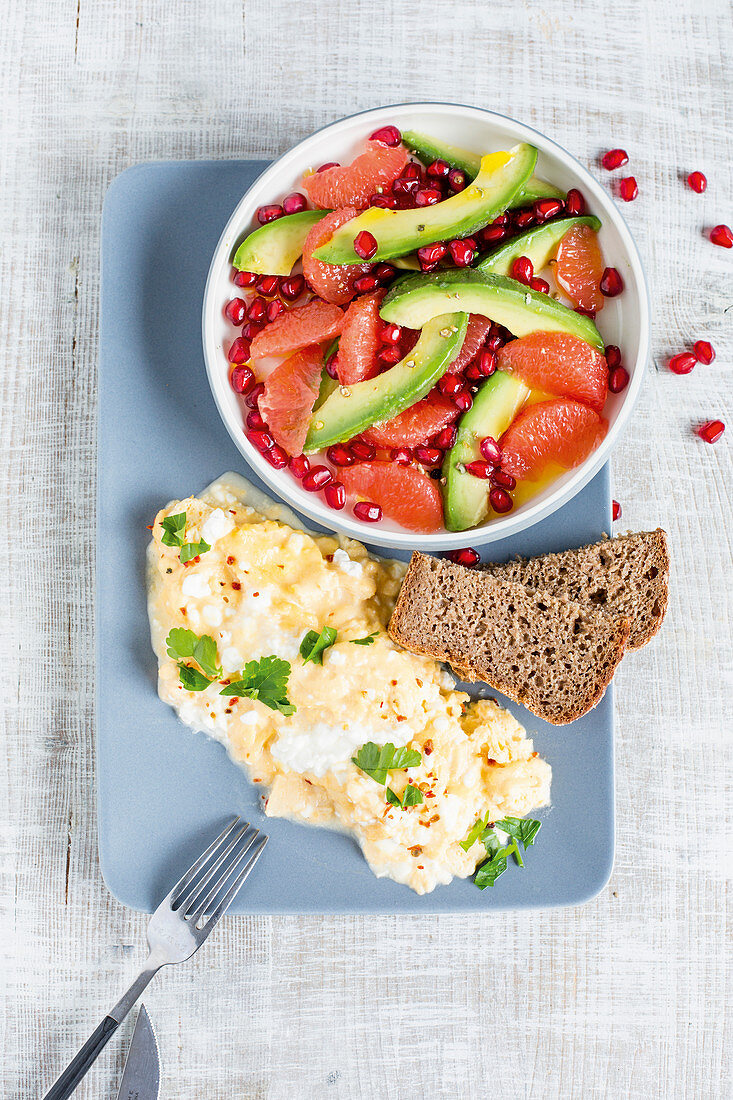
(165, 791)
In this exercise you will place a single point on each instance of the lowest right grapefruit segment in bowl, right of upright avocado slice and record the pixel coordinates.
(561, 432)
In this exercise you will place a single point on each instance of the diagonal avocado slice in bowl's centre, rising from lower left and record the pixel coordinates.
(351, 411)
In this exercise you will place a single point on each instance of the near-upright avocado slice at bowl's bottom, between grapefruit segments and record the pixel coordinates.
(496, 405)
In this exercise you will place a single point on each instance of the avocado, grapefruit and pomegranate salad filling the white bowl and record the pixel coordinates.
(414, 334)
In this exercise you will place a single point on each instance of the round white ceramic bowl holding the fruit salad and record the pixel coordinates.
(625, 321)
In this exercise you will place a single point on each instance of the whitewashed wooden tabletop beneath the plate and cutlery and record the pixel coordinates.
(625, 998)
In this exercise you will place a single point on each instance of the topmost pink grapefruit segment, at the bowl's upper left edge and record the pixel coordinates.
(378, 167)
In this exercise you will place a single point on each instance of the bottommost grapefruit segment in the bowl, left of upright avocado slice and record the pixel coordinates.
(406, 494)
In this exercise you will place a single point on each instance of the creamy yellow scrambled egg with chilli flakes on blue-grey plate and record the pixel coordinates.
(257, 592)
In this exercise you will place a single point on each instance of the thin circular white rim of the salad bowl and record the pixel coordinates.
(512, 523)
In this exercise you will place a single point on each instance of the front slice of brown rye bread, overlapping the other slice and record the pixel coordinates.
(553, 655)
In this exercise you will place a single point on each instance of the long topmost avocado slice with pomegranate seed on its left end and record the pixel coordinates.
(401, 232)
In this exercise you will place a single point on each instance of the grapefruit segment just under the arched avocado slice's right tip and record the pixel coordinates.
(560, 365)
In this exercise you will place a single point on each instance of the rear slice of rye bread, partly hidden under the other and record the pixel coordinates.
(627, 577)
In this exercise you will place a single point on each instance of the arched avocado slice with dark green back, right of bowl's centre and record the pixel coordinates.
(414, 300)
